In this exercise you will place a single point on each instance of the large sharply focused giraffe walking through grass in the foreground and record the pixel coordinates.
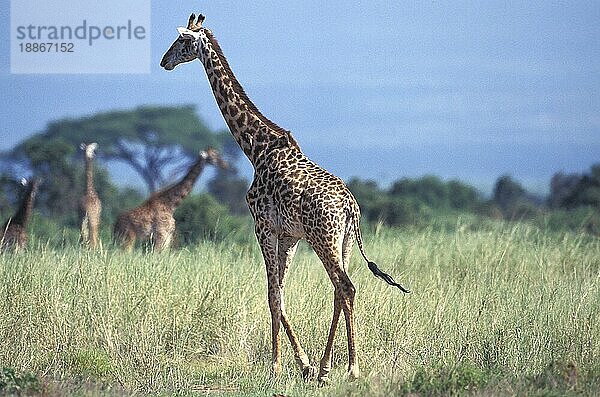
(290, 198)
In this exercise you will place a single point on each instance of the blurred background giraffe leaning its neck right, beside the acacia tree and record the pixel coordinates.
(153, 219)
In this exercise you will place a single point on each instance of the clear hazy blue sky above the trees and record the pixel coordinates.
(470, 90)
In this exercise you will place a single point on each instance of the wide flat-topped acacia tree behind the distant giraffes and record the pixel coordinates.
(154, 141)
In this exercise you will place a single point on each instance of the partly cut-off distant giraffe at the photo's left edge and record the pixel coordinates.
(13, 234)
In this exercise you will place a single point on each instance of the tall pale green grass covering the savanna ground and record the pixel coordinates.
(495, 309)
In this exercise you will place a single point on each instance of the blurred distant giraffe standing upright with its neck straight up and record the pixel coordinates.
(90, 206)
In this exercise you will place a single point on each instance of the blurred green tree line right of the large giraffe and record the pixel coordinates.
(572, 203)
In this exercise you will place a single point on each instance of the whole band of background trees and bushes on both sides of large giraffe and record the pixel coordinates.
(157, 143)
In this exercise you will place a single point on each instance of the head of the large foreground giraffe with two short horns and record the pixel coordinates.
(185, 47)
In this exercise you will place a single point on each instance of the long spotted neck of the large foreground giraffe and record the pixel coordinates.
(241, 115)
